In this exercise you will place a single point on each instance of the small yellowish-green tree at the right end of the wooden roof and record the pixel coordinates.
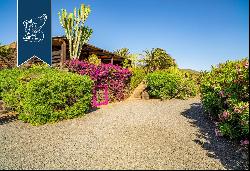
(130, 59)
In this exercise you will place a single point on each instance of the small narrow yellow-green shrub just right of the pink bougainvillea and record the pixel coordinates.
(138, 74)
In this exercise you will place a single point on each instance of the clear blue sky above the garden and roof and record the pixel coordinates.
(197, 33)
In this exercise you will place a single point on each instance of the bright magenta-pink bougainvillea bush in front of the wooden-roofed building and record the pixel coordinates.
(114, 77)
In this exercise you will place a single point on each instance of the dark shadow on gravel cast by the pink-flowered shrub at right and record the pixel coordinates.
(218, 147)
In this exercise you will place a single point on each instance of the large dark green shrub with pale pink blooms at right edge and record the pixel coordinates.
(225, 97)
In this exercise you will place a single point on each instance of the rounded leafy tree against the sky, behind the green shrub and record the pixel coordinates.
(157, 59)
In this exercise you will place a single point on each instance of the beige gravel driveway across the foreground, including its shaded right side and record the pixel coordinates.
(135, 134)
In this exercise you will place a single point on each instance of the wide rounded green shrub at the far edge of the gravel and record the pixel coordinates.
(170, 84)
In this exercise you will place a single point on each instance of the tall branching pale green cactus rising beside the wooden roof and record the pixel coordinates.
(76, 32)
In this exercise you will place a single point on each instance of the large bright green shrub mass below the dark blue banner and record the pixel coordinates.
(42, 95)
